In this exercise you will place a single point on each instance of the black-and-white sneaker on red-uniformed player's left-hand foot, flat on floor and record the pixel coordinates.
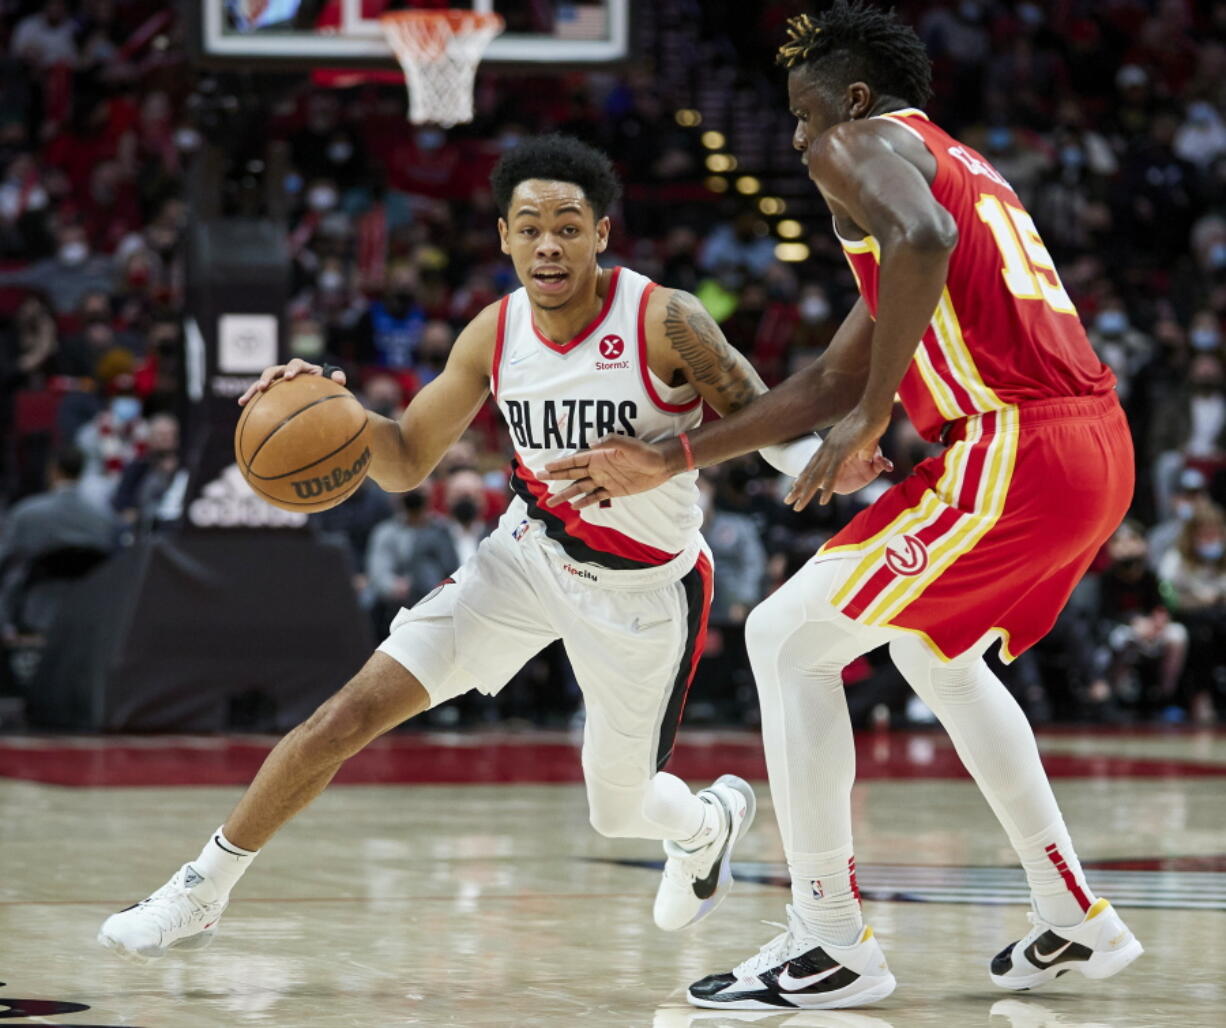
(798, 971)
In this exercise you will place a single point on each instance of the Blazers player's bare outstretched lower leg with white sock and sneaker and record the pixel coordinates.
(185, 913)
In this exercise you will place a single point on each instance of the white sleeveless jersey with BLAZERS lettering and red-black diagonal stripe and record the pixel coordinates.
(562, 398)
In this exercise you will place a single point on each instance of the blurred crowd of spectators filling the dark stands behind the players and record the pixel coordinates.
(1105, 117)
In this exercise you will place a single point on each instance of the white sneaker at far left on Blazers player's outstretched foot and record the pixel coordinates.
(181, 916)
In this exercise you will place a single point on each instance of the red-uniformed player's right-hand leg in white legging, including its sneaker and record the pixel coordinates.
(1072, 929)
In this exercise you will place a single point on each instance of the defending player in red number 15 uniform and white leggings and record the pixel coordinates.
(964, 318)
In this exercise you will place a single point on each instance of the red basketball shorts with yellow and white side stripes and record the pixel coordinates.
(994, 534)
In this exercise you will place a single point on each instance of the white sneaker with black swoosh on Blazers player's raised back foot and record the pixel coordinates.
(697, 881)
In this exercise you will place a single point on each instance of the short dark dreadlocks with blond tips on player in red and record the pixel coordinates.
(854, 41)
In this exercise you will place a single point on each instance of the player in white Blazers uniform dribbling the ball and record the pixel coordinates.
(577, 354)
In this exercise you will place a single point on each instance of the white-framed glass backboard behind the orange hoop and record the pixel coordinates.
(346, 33)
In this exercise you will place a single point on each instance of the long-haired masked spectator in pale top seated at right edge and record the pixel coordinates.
(1195, 576)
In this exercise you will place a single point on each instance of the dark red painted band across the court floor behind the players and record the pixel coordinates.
(500, 758)
